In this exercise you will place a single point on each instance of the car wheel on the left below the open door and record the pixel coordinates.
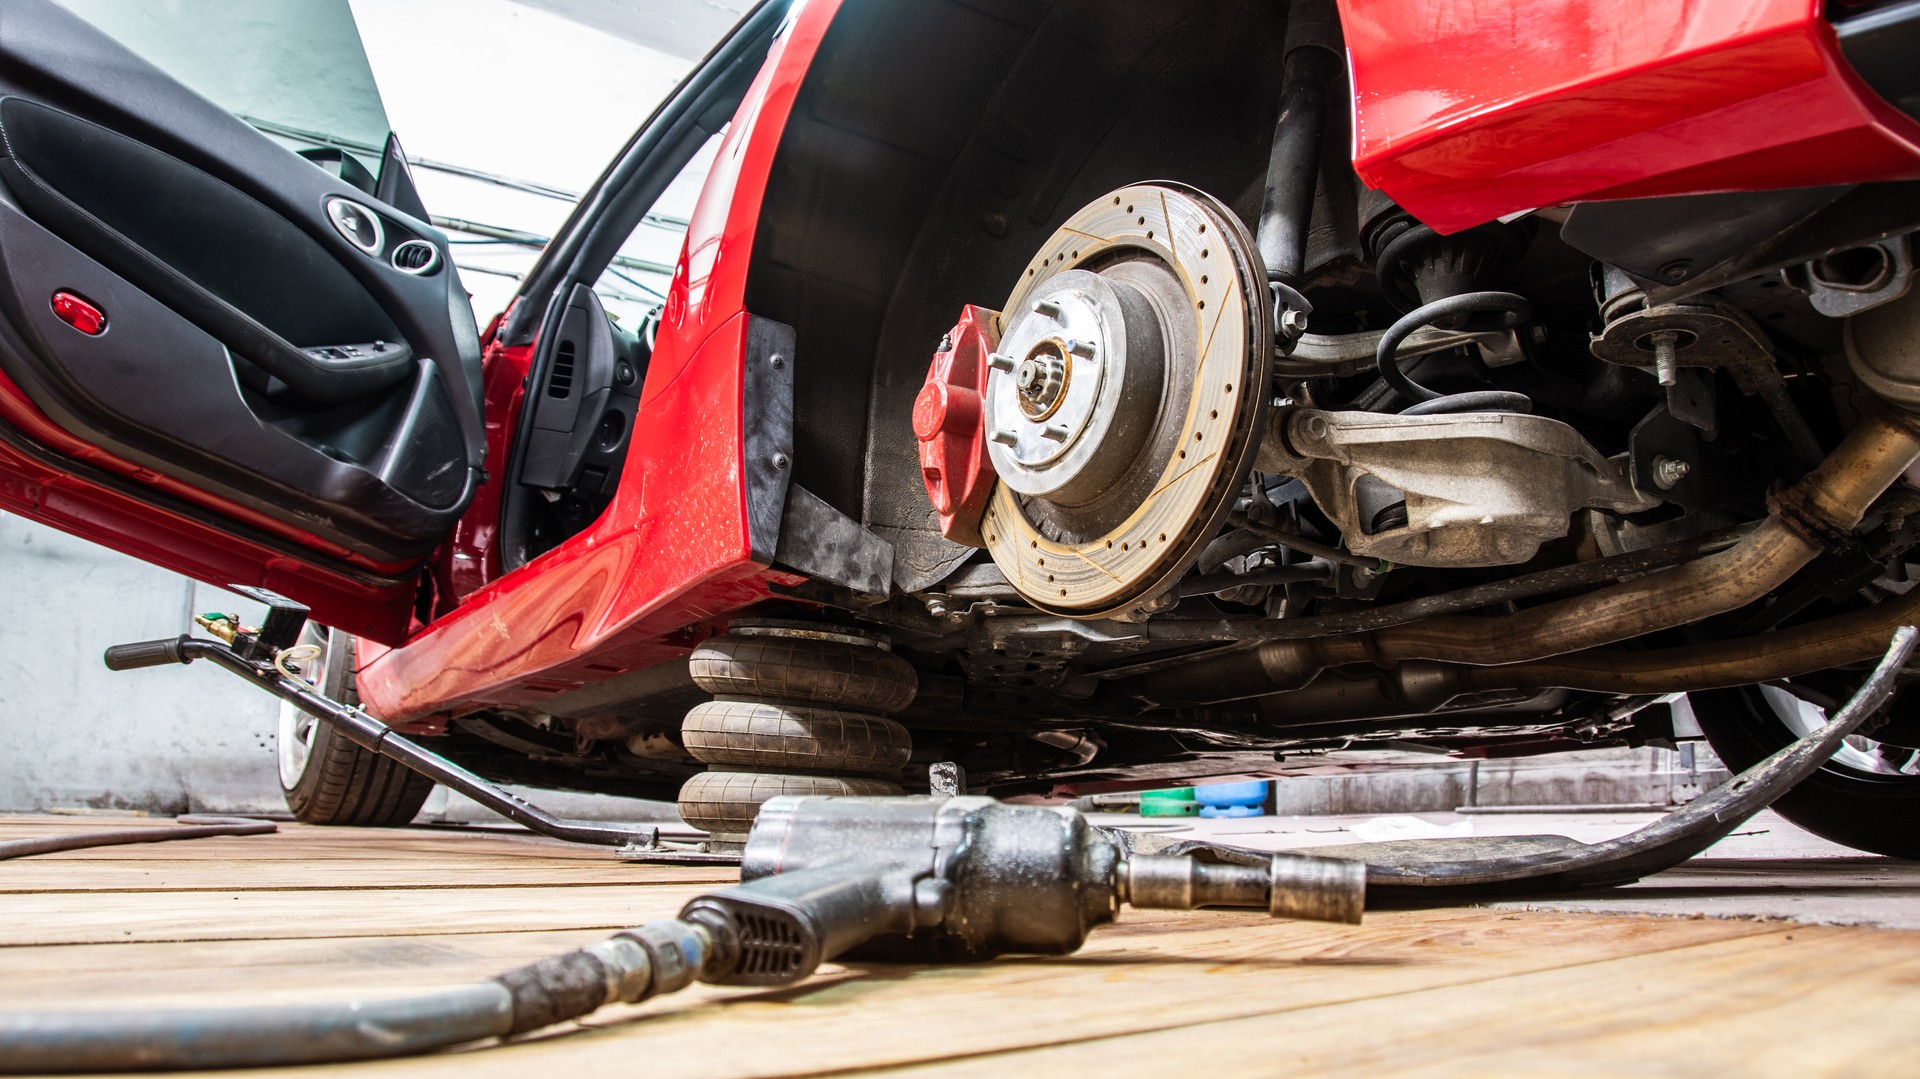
(327, 779)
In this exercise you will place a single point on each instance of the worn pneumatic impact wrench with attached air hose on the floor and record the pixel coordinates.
(905, 880)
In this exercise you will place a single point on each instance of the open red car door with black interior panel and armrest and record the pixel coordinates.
(214, 354)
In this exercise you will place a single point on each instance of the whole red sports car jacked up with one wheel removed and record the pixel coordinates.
(1076, 391)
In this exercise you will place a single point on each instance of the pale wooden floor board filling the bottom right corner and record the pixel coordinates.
(1779, 1003)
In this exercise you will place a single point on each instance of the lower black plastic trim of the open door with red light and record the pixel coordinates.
(164, 395)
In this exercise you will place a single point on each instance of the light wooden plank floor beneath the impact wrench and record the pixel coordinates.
(1470, 992)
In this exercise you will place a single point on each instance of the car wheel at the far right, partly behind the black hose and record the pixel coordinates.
(1865, 798)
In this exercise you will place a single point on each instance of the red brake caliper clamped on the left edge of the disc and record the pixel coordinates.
(948, 421)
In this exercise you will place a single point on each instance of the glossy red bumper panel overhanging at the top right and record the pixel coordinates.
(1466, 112)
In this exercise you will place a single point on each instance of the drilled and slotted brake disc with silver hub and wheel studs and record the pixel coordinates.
(1126, 398)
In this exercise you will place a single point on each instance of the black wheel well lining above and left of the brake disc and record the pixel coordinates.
(934, 149)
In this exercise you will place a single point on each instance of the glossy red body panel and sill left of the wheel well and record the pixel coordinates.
(671, 558)
